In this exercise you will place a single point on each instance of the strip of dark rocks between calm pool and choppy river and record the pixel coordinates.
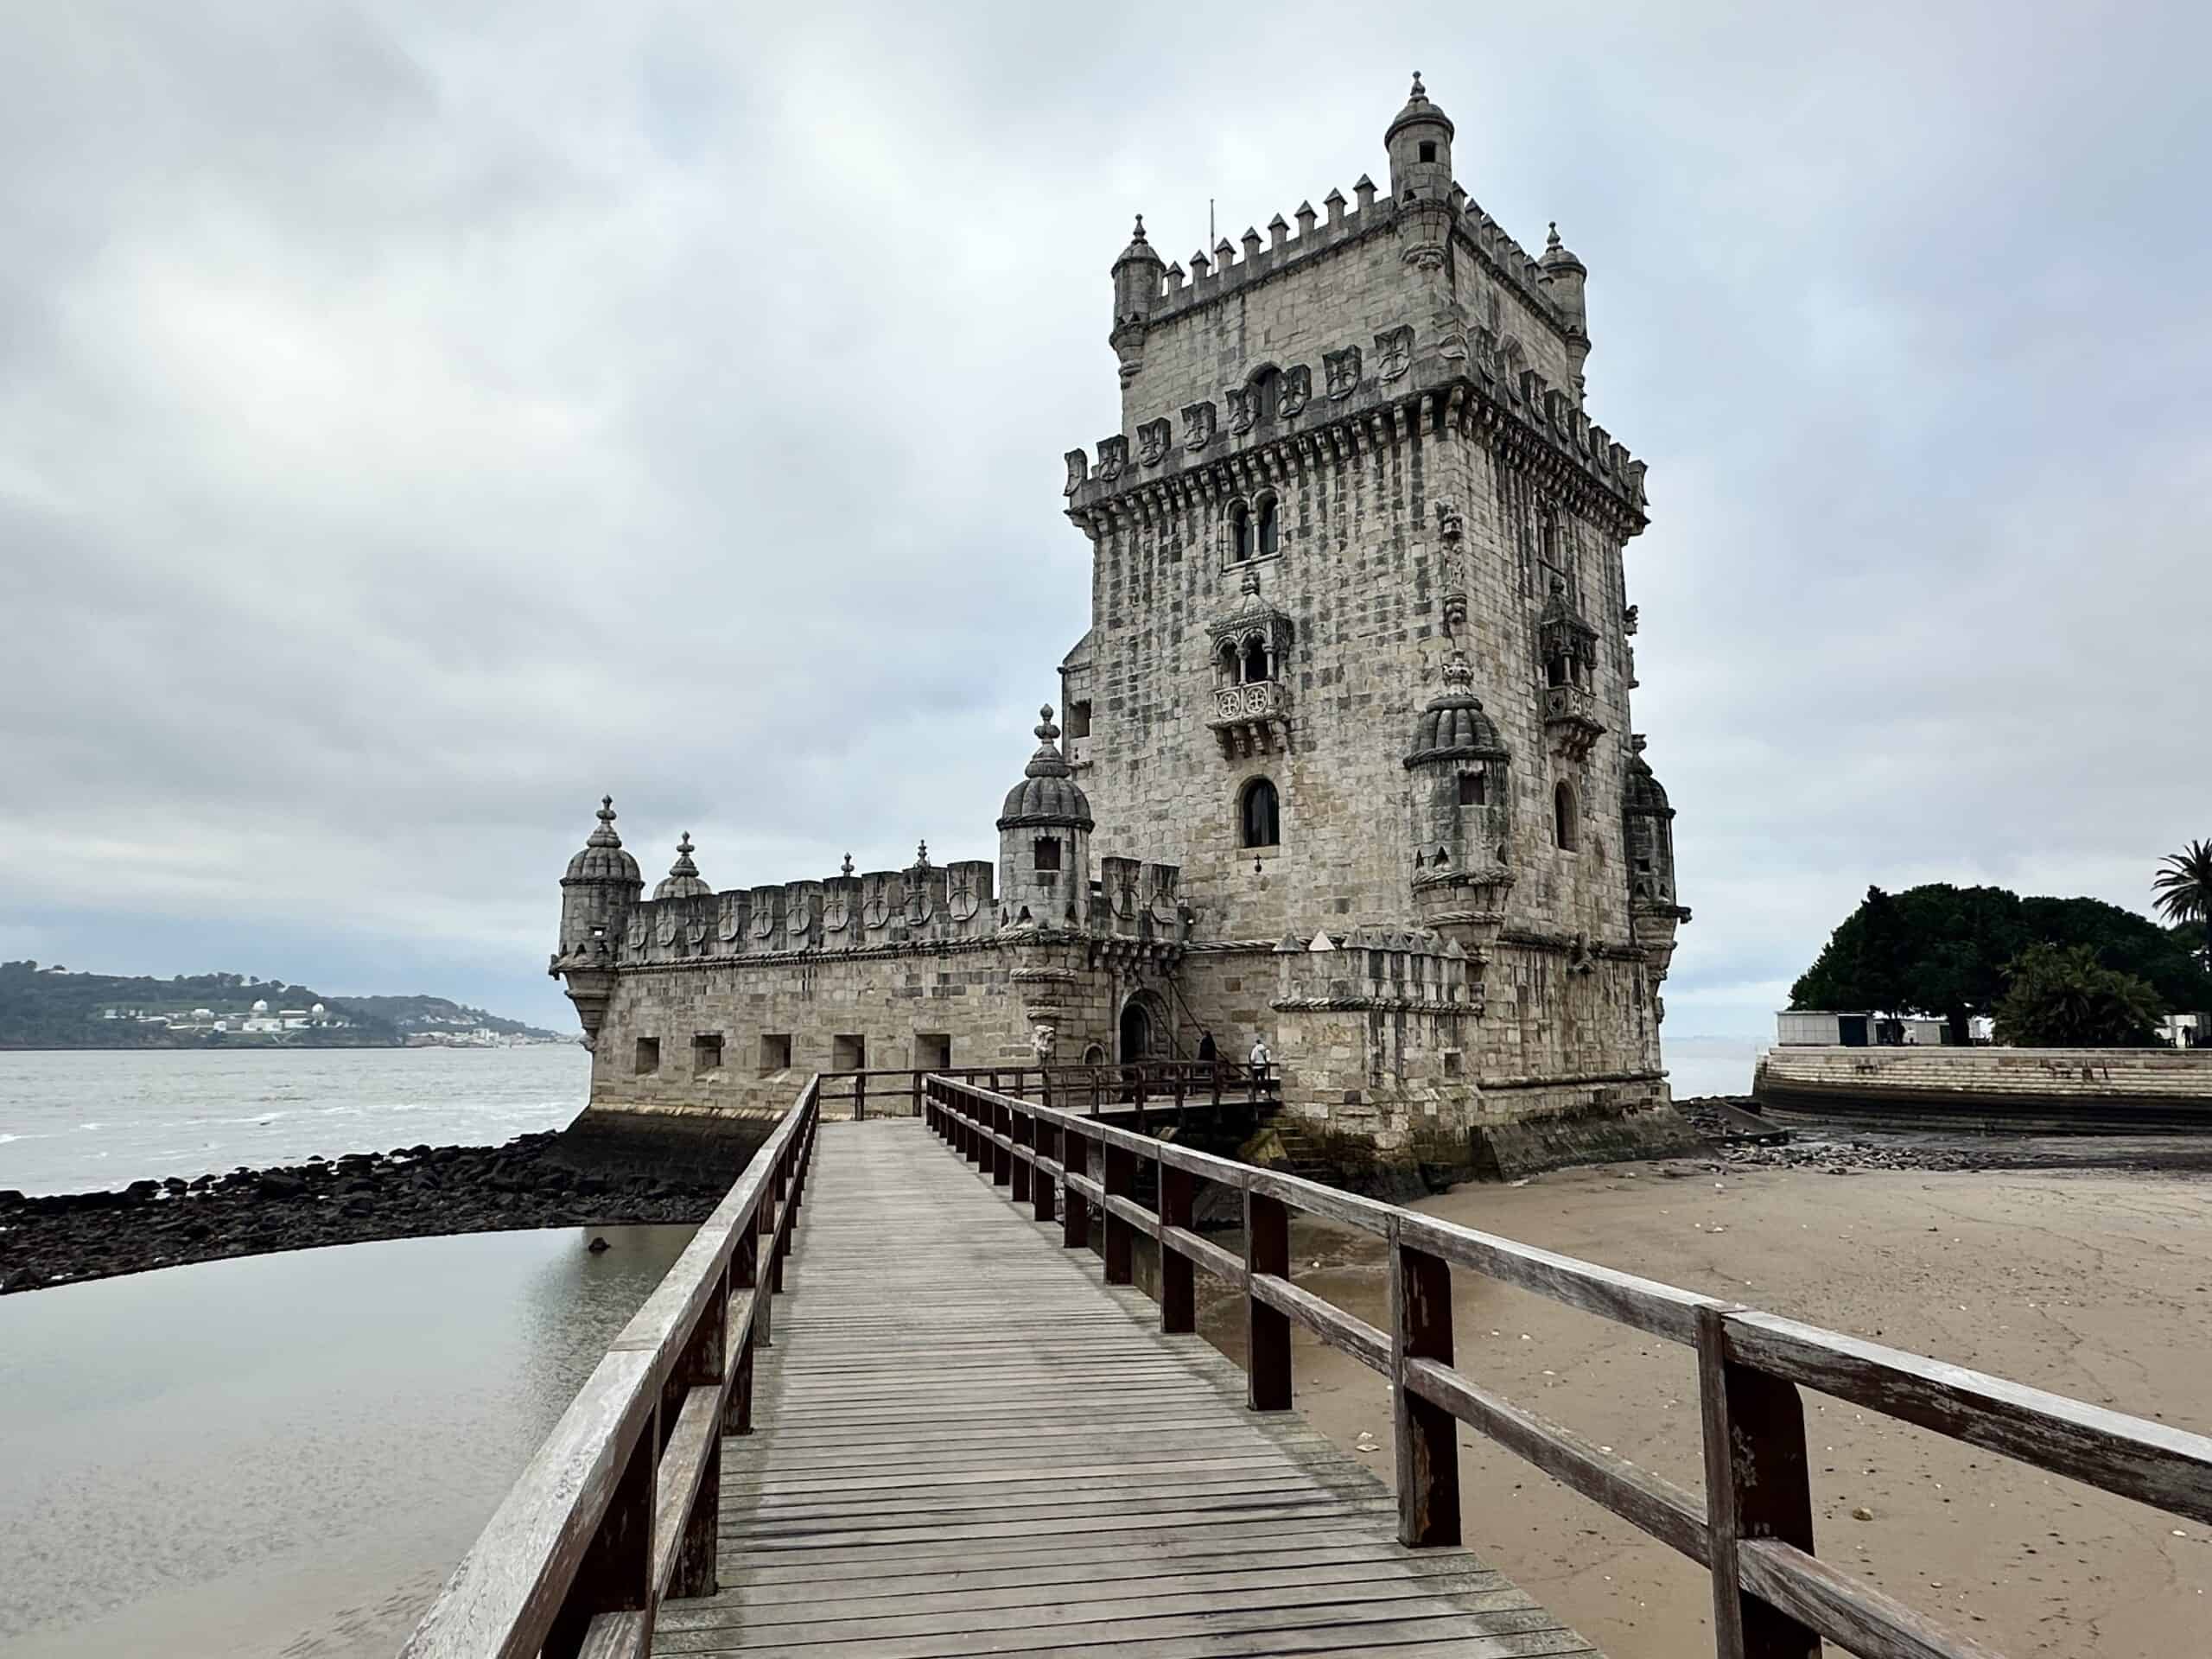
(406, 1193)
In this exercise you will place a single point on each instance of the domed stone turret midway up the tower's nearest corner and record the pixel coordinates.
(1461, 817)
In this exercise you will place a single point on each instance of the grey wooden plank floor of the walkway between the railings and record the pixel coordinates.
(970, 1446)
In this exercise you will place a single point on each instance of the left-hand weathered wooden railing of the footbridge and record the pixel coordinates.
(620, 1503)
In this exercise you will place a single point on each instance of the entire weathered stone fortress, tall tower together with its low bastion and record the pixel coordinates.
(1346, 758)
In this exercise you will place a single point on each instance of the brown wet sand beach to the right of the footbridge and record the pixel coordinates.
(2096, 1286)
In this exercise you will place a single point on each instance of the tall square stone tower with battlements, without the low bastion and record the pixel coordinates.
(1355, 466)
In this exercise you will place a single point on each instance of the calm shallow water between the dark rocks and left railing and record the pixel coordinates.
(284, 1454)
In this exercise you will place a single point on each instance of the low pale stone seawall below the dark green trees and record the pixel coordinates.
(2043, 1092)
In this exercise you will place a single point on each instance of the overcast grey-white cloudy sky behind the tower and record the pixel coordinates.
(419, 419)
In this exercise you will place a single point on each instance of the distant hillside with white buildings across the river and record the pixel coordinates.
(50, 1008)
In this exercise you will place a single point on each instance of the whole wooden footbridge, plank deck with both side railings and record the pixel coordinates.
(901, 1401)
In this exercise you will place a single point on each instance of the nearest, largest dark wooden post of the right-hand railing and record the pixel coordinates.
(1757, 1485)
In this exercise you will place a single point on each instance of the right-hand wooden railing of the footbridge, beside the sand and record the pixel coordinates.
(1753, 1523)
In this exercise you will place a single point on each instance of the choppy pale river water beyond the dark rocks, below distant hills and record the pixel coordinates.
(81, 1120)
